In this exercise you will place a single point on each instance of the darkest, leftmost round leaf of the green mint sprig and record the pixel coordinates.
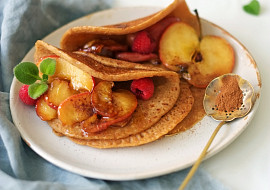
(26, 73)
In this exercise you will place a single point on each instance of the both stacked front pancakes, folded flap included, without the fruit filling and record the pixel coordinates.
(152, 118)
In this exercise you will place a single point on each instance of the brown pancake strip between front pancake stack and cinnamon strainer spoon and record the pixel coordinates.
(196, 114)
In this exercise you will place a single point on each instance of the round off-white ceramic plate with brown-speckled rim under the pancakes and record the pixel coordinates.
(161, 157)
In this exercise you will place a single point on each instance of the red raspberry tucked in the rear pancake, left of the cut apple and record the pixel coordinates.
(142, 43)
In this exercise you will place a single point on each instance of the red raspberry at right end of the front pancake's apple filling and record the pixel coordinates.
(143, 88)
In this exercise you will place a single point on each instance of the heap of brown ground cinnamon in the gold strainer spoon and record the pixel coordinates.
(230, 97)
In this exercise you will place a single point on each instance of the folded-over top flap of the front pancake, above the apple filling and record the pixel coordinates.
(101, 67)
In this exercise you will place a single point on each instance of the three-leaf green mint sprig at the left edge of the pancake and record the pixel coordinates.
(28, 73)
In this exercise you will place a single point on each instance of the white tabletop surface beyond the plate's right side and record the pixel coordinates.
(245, 164)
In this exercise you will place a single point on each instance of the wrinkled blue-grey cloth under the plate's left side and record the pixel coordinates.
(22, 23)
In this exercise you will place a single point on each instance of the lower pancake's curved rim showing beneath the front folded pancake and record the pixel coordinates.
(158, 130)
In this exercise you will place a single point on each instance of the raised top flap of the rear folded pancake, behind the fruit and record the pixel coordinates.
(76, 37)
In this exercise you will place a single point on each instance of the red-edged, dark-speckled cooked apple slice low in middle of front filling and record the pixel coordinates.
(76, 108)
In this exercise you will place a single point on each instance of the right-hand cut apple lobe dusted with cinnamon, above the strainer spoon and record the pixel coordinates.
(217, 58)
